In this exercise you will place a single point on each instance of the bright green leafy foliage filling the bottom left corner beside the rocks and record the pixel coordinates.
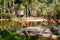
(10, 35)
